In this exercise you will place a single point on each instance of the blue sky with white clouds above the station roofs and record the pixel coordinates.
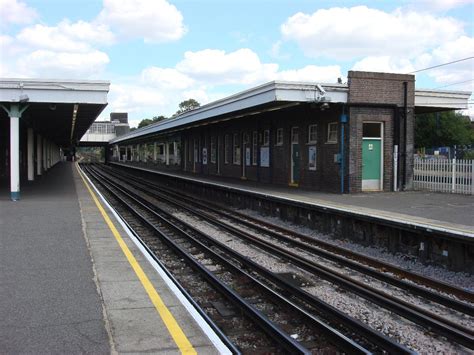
(157, 53)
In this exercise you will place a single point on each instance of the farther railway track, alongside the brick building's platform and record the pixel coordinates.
(224, 219)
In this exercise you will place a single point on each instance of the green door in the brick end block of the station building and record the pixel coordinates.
(371, 164)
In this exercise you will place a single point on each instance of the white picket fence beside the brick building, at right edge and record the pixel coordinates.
(455, 176)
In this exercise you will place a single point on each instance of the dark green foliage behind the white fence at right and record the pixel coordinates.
(443, 129)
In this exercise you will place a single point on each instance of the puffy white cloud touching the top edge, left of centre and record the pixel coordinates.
(154, 21)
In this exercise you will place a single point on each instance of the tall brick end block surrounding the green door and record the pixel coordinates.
(379, 97)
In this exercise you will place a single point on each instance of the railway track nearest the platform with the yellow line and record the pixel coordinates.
(301, 327)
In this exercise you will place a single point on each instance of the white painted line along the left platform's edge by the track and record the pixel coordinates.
(212, 336)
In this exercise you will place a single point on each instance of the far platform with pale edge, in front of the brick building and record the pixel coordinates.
(452, 213)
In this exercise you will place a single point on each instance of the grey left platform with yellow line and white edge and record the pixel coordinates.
(73, 281)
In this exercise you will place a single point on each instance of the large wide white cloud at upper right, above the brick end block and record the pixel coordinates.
(348, 33)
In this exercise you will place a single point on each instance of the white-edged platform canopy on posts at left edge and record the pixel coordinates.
(60, 110)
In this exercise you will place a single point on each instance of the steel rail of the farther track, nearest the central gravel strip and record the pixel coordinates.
(416, 314)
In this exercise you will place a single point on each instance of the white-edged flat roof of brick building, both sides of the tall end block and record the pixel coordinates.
(281, 94)
